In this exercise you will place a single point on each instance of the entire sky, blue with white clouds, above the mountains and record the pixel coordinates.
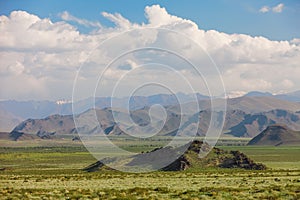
(55, 49)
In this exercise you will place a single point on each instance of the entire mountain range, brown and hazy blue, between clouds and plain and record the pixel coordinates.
(246, 116)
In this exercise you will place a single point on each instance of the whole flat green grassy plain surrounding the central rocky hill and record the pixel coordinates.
(34, 170)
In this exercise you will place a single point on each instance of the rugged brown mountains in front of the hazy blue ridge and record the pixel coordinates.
(237, 123)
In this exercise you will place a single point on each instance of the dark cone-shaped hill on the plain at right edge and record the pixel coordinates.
(277, 135)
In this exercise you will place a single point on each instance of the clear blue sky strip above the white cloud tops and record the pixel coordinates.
(229, 16)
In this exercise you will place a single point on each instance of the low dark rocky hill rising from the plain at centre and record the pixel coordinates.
(217, 158)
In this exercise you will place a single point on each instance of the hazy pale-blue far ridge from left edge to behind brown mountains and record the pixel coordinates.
(13, 112)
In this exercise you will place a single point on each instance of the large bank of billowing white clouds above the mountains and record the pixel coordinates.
(39, 58)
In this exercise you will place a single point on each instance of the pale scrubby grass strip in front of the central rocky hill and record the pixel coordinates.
(225, 184)
